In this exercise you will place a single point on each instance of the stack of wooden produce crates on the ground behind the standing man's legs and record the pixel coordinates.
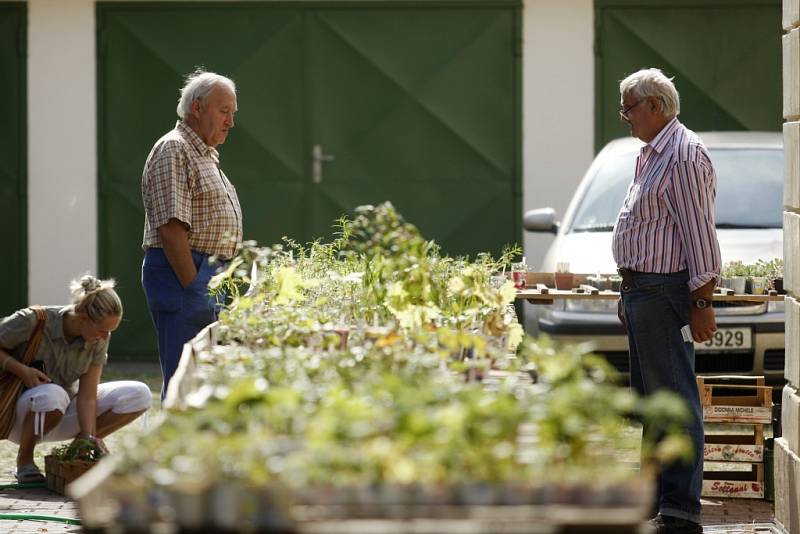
(734, 455)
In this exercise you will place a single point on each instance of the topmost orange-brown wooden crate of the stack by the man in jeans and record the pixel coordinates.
(735, 399)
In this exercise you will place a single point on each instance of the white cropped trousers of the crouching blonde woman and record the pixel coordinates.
(124, 396)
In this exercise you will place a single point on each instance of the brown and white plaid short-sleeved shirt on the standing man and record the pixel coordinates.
(182, 179)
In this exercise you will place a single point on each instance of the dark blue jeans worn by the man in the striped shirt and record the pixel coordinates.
(655, 309)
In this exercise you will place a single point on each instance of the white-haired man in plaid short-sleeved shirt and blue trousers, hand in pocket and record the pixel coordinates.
(192, 212)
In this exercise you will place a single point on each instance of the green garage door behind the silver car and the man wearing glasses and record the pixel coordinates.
(725, 56)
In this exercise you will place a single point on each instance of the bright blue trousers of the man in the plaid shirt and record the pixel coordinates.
(178, 313)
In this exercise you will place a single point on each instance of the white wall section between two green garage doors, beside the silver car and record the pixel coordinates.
(558, 107)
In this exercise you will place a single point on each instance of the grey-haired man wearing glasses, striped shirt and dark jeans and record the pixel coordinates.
(665, 246)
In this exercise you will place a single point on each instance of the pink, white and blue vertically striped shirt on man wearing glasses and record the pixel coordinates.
(667, 221)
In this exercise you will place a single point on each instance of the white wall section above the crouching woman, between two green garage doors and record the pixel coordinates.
(62, 146)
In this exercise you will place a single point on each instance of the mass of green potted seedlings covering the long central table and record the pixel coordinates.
(358, 362)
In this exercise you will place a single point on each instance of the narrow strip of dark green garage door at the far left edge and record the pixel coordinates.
(13, 156)
